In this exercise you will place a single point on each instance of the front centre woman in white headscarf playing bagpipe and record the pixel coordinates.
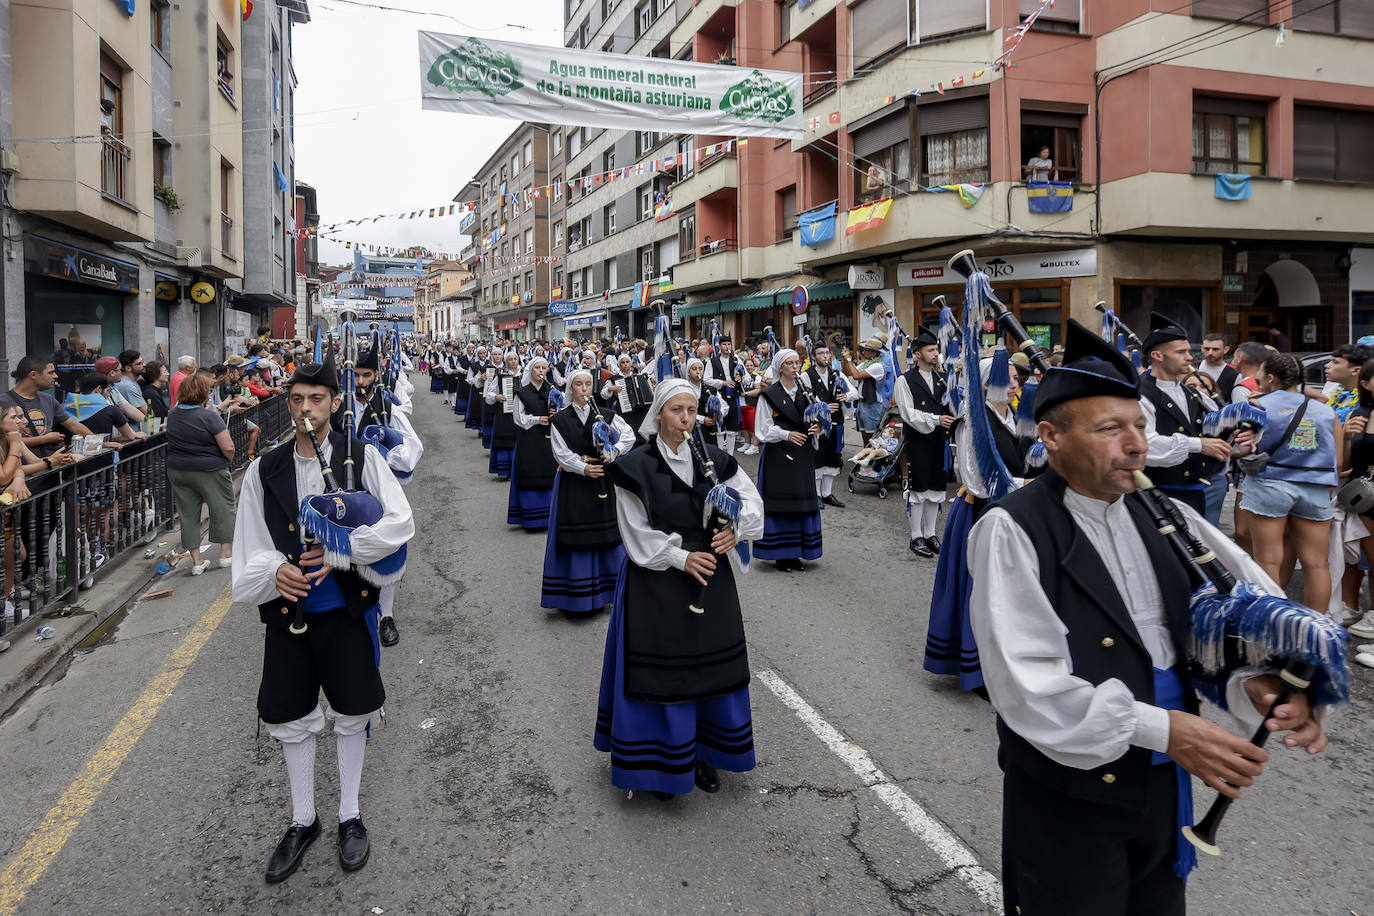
(675, 682)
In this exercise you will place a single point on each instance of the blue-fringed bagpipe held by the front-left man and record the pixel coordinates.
(330, 518)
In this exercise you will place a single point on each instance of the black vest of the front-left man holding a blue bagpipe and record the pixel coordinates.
(281, 510)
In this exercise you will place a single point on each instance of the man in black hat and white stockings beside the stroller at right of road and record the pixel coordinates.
(920, 395)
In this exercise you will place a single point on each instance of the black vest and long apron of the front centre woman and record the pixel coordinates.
(673, 654)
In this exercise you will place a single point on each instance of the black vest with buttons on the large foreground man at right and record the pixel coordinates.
(1104, 642)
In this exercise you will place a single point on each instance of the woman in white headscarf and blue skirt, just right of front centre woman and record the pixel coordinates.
(788, 470)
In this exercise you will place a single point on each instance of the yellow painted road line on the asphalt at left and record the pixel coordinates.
(63, 821)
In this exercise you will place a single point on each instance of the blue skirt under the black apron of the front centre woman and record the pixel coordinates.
(655, 748)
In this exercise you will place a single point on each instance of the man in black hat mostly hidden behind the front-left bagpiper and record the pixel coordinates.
(379, 420)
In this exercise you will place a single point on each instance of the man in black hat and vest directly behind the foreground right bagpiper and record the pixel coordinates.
(1178, 458)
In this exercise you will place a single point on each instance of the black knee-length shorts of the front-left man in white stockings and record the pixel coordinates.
(335, 654)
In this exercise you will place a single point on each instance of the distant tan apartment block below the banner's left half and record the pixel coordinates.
(513, 231)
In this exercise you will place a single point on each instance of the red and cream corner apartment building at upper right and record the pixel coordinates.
(1185, 94)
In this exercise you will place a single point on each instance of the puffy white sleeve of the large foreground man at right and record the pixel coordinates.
(1024, 650)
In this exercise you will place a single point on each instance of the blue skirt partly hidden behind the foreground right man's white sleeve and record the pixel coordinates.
(950, 648)
